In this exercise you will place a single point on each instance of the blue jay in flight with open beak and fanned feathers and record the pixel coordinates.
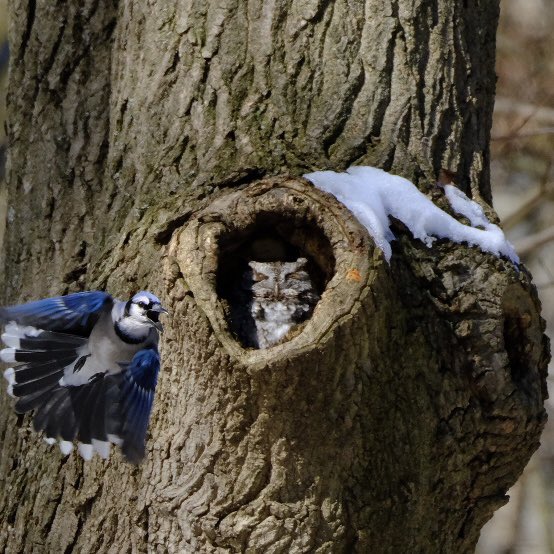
(88, 366)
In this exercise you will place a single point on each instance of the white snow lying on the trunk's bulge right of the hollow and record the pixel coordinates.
(373, 195)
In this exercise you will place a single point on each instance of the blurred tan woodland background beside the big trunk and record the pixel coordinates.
(523, 181)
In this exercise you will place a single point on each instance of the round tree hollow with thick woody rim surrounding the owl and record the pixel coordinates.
(309, 223)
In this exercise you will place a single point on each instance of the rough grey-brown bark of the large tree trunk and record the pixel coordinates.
(149, 143)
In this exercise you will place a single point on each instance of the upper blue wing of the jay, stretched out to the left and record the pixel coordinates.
(74, 314)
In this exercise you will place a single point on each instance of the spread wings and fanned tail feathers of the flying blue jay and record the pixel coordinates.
(47, 336)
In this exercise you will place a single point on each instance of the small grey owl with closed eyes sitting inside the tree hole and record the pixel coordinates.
(282, 297)
